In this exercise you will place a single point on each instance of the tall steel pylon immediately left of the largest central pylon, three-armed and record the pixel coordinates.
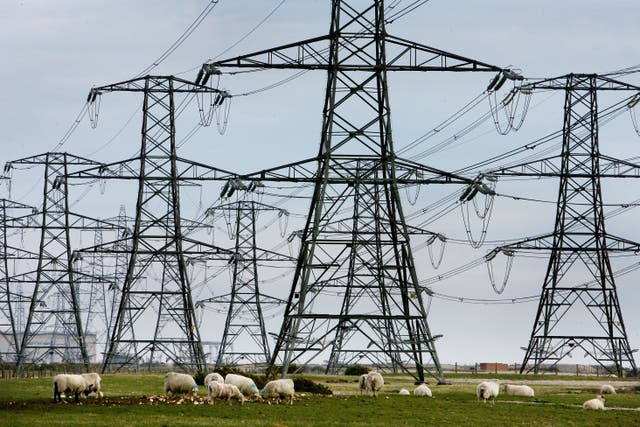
(156, 320)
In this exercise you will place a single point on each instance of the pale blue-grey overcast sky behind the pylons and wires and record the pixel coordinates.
(55, 51)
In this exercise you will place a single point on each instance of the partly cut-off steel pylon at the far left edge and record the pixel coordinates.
(11, 296)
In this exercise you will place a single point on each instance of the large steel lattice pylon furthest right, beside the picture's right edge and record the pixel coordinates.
(579, 308)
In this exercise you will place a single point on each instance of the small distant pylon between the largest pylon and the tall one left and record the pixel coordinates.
(245, 339)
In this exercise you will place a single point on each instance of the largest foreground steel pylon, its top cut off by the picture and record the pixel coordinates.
(355, 295)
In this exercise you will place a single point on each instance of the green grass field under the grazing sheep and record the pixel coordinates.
(133, 399)
